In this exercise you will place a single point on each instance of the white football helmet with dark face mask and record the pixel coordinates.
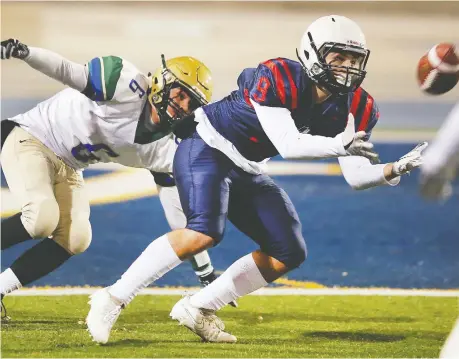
(334, 33)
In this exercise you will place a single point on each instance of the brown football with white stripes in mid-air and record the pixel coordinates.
(438, 69)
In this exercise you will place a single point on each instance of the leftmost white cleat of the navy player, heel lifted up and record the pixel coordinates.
(103, 314)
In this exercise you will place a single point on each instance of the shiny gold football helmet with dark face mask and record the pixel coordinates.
(188, 73)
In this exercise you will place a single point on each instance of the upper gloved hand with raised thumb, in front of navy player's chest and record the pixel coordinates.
(355, 144)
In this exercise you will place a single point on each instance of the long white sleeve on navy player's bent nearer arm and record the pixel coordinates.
(280, 128)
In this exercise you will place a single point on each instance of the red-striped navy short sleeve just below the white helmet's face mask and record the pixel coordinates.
(365, 111)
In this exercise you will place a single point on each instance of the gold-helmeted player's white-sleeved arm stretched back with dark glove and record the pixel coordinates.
(50, 63)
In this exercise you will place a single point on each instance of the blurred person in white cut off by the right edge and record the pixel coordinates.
(441, 162)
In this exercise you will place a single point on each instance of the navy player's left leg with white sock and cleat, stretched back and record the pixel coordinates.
(201, 174)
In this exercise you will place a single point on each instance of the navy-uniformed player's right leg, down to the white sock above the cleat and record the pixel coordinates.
(266, 214)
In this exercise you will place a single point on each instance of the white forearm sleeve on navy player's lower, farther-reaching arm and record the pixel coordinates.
(360, 174)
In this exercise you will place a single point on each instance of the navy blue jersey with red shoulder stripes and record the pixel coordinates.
(283, 83)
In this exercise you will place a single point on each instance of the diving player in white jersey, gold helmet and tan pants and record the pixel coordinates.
(111, 113)
